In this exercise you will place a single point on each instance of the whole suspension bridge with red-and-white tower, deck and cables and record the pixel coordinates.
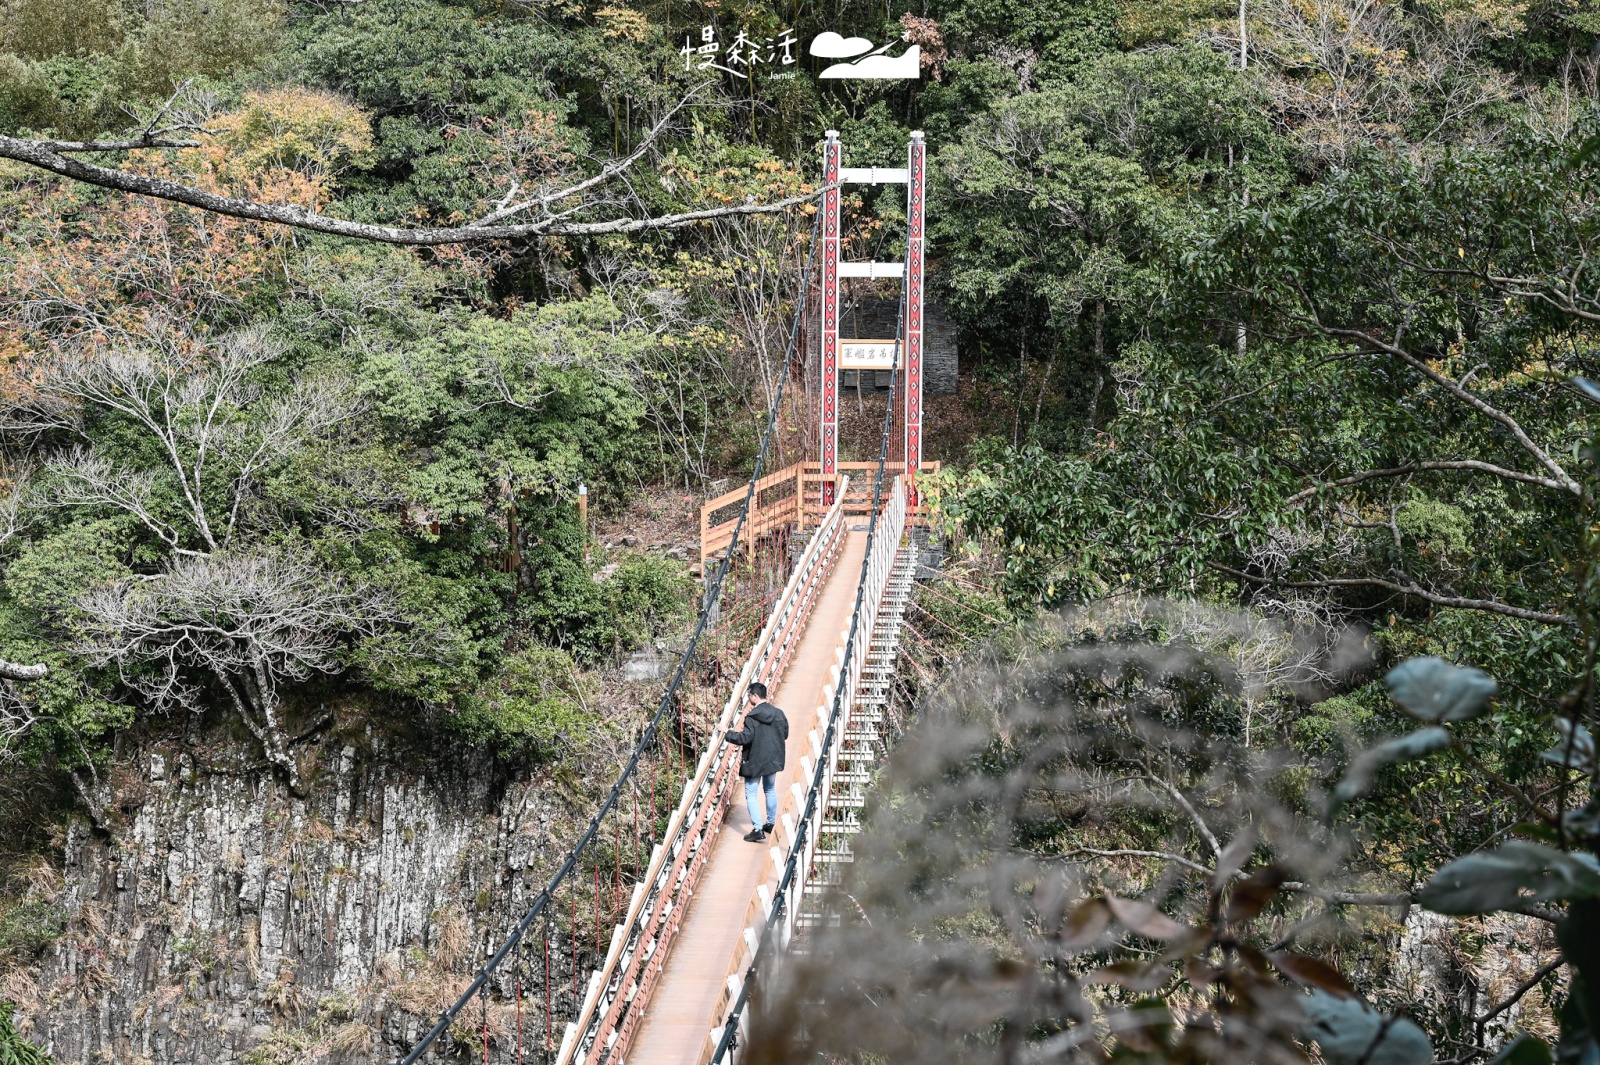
(657, 935)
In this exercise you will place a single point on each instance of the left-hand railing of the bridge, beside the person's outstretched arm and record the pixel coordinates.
(618, 991)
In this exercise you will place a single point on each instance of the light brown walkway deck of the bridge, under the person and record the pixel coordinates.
(690, 997)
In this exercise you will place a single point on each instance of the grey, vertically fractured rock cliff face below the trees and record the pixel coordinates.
(226, 920)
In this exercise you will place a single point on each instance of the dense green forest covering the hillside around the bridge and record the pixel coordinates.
(1274, 325)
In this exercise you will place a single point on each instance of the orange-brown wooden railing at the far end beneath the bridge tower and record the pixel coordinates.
(793, 497)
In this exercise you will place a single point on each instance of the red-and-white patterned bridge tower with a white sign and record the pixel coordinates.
(903, 353)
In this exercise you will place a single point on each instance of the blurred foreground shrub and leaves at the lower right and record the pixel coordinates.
(1076, 861)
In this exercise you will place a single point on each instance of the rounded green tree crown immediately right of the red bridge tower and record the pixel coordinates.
(1052, 202)
